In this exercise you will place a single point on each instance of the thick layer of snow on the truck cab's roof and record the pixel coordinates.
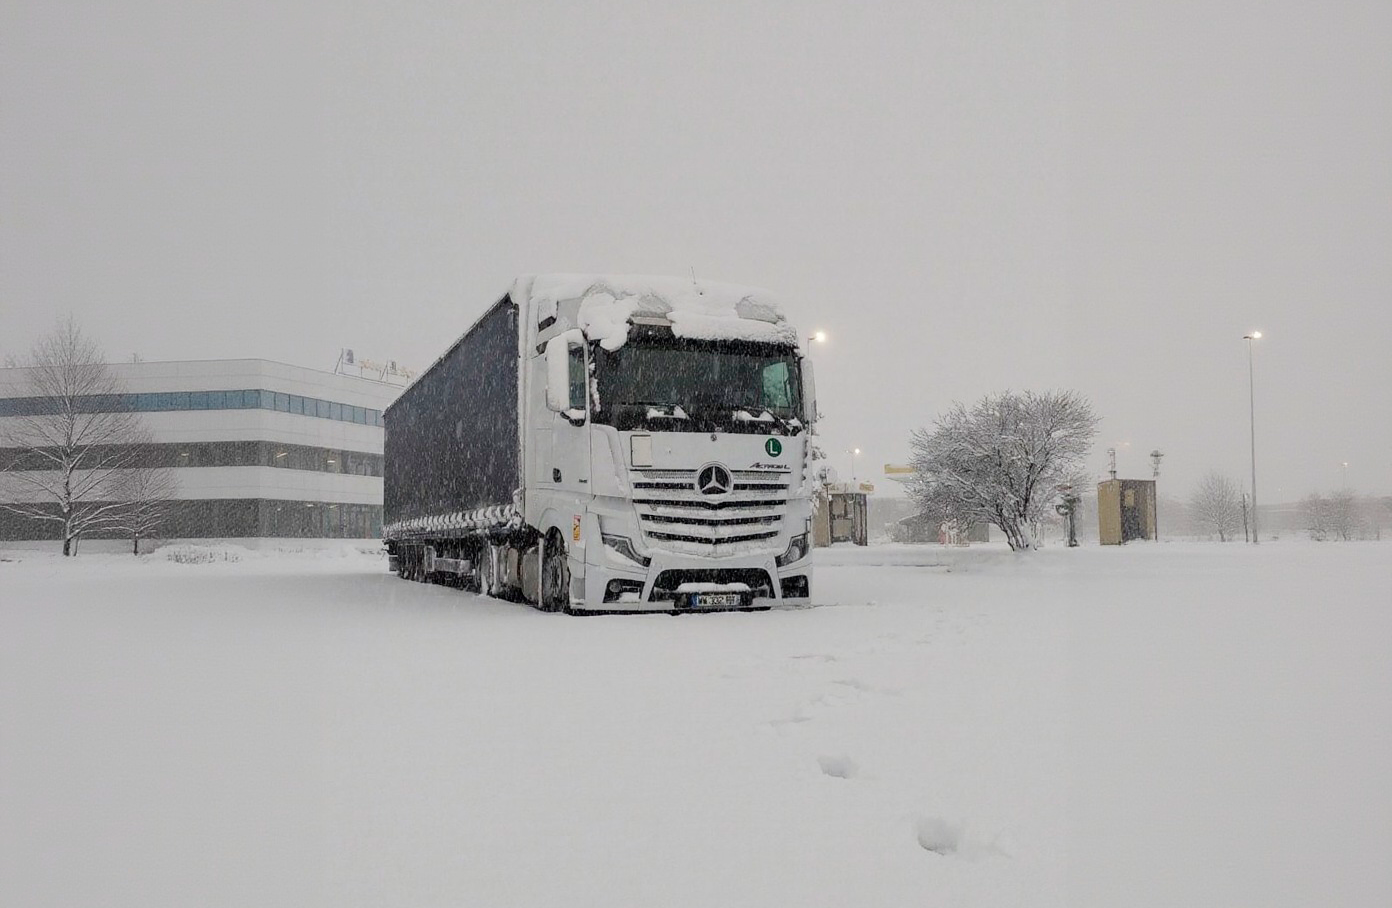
(603, 306)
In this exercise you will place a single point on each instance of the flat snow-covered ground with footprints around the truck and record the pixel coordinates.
(1166, 725)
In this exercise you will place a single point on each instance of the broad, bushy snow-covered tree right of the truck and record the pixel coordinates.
(1003, 462)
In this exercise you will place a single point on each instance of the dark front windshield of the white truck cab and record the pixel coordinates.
(699, 386)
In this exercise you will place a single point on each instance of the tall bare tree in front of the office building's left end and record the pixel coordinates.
(70, 441)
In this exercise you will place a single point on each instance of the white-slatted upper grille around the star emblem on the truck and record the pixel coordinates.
(676, 516)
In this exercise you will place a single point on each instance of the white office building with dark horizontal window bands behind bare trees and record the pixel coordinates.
(258, 449)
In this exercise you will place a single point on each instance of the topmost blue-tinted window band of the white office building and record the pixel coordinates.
(165, 402)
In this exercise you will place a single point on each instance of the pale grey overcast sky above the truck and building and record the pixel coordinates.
(965, 197)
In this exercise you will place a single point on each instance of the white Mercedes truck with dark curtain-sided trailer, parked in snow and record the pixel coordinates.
(610, 445)
